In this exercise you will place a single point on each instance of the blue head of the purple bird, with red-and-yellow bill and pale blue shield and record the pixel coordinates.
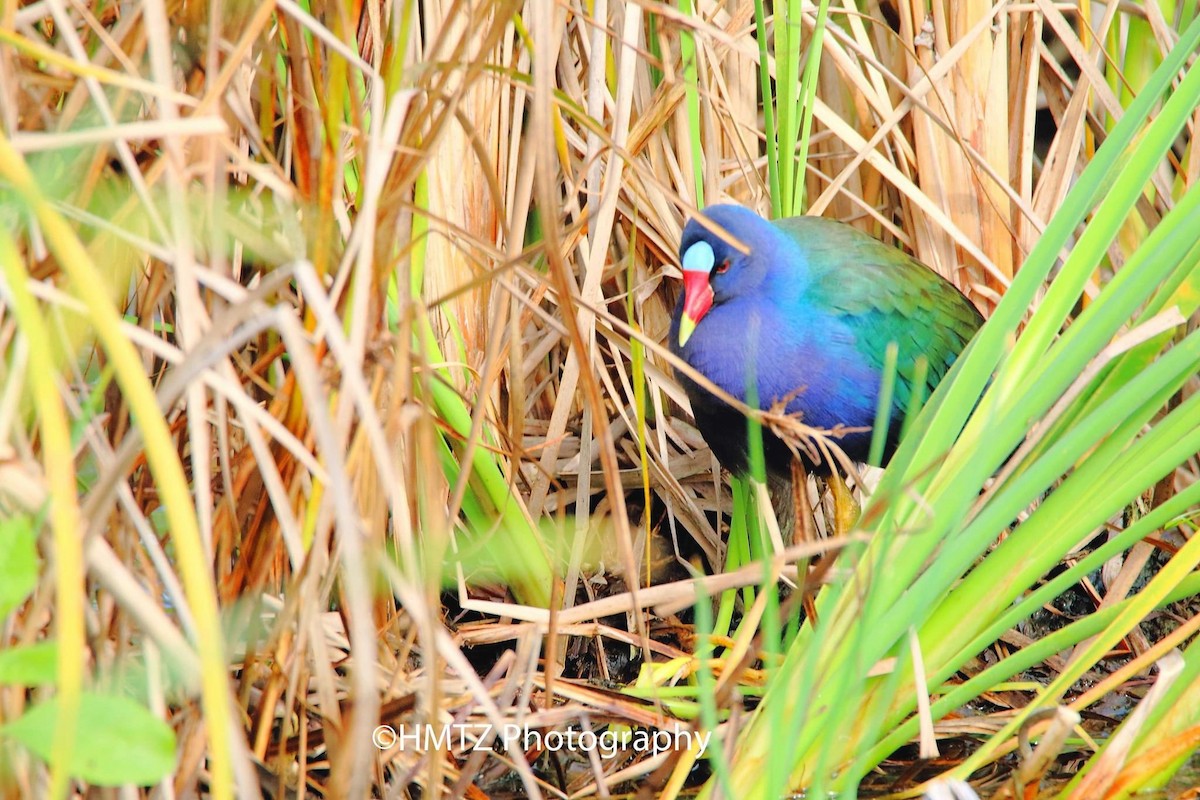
(723, 258)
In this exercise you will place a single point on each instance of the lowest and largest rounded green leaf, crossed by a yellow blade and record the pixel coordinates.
(121, 742)
